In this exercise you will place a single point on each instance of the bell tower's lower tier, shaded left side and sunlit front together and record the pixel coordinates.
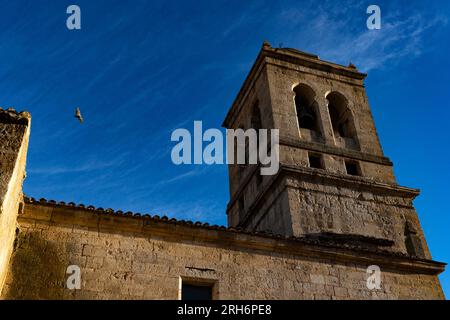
(312, 204)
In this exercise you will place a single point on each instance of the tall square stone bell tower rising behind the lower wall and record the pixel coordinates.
(334, 181)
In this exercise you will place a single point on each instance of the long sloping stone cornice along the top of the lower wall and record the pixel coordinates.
(178, 231)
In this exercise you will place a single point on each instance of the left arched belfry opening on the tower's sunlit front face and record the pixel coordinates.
(306, 107)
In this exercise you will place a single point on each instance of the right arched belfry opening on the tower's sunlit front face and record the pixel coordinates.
(342, 121)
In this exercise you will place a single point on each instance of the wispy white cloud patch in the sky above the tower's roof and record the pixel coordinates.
(336, 34)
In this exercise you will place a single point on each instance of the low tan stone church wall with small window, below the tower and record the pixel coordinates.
(125, 257)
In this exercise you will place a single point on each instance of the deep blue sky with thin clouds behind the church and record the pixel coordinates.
(140, 69)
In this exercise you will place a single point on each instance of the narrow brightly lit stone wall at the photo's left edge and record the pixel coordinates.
(14, 134)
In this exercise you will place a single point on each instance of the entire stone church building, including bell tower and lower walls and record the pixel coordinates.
(309, 232)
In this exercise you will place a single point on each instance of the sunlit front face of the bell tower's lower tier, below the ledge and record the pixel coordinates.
(364, 211)
